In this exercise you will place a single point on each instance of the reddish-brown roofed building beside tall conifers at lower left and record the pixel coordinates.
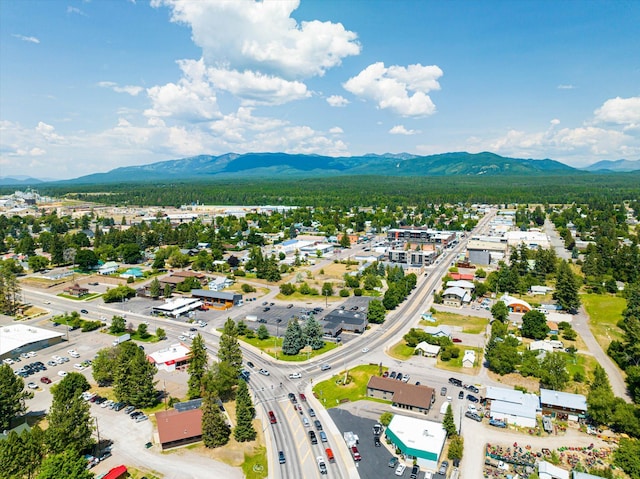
(177, 428)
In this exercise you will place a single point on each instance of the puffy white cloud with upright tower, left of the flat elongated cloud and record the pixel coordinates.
(191, 99)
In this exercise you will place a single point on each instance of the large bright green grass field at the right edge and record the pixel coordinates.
(604, 312)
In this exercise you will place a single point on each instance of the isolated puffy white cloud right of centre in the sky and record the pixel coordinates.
(400, 89)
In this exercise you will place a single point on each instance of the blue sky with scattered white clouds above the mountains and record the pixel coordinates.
(88, 86)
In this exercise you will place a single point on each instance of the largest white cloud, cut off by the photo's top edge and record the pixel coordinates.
(263, 36)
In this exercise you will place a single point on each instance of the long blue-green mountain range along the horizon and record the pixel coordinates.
(290, 166)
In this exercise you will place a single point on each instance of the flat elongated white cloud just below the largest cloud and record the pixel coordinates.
(257, 88)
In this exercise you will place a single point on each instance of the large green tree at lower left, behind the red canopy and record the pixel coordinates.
(70, 423)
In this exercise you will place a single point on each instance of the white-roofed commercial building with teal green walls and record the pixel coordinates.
(417, 438)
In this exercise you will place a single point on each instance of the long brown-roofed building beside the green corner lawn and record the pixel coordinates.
(403, 395)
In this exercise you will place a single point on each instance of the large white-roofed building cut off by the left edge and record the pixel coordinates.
(21, 338)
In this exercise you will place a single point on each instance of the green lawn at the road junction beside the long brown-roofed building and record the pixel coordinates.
(331, 392)
